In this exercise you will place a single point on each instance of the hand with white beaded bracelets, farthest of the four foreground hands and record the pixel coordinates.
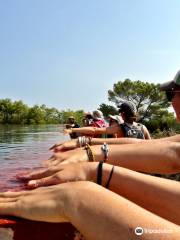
(68, 145)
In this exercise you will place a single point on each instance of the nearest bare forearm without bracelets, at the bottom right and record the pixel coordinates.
(102, 215)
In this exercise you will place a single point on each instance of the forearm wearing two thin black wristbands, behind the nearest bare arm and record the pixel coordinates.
(152, 193)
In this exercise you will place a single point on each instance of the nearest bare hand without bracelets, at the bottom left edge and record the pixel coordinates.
(43, 204)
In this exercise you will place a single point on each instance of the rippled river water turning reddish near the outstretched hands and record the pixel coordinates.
(23, 148)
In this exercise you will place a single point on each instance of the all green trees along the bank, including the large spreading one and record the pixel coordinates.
(152, 105)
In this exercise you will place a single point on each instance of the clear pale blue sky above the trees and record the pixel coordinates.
(69, 53)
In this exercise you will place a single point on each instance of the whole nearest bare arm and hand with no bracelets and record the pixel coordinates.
(89, 208)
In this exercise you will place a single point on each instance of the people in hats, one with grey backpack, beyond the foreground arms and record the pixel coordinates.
(124, 125)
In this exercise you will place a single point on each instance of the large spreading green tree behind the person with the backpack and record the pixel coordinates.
(151, 103)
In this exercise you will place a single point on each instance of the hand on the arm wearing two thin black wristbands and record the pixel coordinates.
(61, 173)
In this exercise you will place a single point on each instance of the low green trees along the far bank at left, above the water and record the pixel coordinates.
(19, 113)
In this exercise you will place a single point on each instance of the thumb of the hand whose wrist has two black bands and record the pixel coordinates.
(52, 180)
